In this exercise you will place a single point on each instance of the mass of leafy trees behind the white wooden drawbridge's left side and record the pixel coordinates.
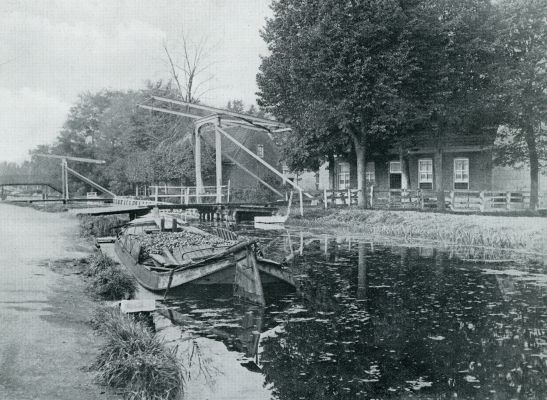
(139, 147)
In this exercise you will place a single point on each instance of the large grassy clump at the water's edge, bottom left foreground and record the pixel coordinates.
(134, 360)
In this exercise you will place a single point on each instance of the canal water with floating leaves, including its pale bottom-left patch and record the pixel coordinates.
(367, 321)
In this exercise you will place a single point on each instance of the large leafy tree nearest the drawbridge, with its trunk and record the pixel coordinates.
(345, 57)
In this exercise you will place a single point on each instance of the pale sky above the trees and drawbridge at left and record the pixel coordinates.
(52, 50)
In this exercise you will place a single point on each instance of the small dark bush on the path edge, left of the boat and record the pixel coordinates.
(114, 283)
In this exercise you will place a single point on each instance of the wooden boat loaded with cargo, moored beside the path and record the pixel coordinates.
(163, 253)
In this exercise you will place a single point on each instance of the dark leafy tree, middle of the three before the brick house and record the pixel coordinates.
(456, 59)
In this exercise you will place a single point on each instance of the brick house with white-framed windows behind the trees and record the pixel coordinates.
(467, 164)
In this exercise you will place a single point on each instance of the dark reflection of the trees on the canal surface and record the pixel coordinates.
(392, 323)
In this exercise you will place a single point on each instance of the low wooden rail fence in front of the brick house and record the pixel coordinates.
(457, 200)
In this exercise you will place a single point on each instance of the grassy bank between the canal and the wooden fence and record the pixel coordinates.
(518, 233)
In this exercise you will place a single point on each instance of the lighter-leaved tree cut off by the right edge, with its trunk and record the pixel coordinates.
(523, 84)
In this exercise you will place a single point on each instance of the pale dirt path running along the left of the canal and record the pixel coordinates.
(45, 341)
